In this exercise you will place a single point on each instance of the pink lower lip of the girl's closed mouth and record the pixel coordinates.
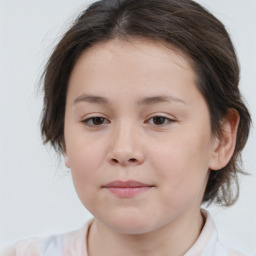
(127, 191)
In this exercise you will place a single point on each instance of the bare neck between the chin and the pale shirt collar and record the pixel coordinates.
(175, 239)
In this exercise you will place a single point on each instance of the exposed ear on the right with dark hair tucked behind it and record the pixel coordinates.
(224, 145)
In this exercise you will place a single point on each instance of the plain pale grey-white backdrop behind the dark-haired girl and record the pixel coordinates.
(37, 197)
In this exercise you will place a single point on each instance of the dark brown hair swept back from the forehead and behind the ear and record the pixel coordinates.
(180, 24)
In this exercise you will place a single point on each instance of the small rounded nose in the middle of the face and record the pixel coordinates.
(126, 146)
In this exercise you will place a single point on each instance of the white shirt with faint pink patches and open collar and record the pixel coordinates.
(74, 243)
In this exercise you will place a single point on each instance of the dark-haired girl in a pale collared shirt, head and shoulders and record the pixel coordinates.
(142, 99)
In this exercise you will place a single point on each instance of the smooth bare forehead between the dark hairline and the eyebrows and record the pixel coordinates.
(139, 66)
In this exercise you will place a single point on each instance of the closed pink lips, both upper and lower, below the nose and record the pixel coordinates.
(128, 188)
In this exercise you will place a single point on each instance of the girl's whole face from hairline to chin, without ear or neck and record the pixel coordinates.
(137, 135)
